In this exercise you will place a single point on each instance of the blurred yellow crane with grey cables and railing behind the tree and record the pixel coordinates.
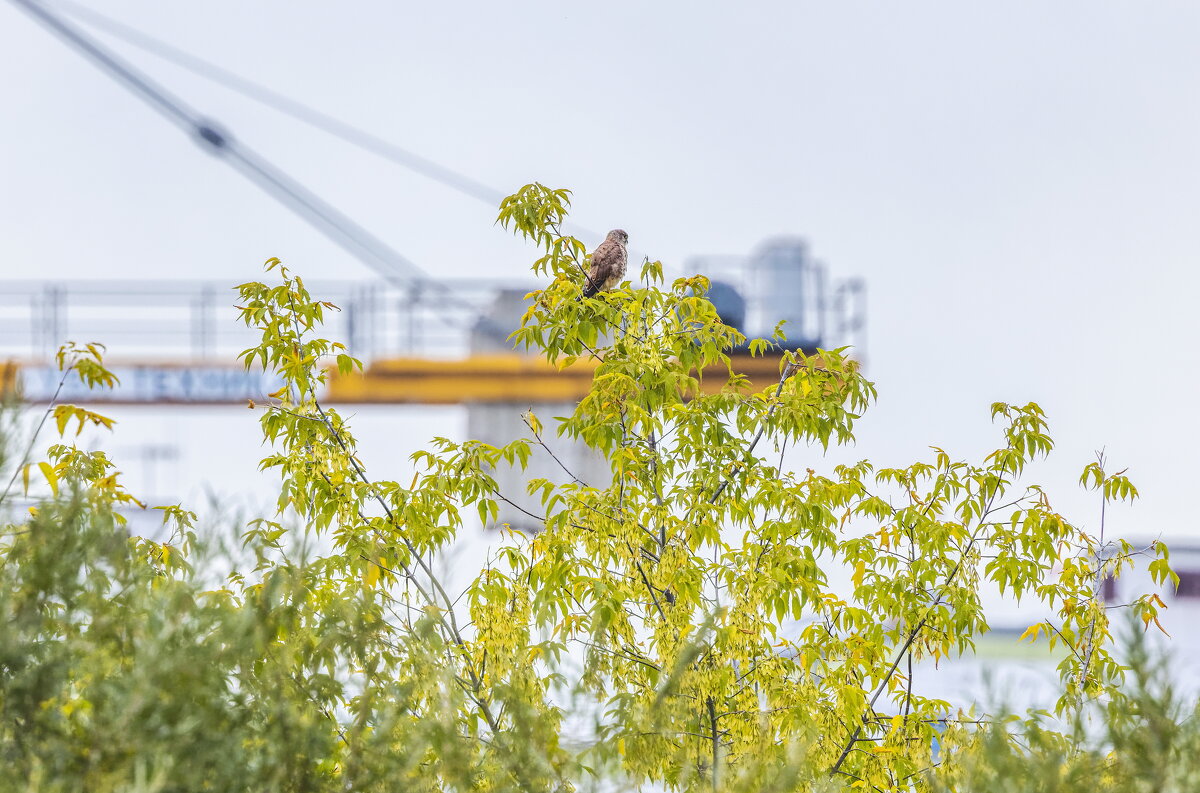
(428, 341)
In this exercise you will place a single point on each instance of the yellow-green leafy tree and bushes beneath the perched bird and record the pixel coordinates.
(692, 602)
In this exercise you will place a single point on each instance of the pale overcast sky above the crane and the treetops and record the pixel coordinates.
(1018, 183)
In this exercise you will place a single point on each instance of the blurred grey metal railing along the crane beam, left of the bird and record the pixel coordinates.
(196, 321)
